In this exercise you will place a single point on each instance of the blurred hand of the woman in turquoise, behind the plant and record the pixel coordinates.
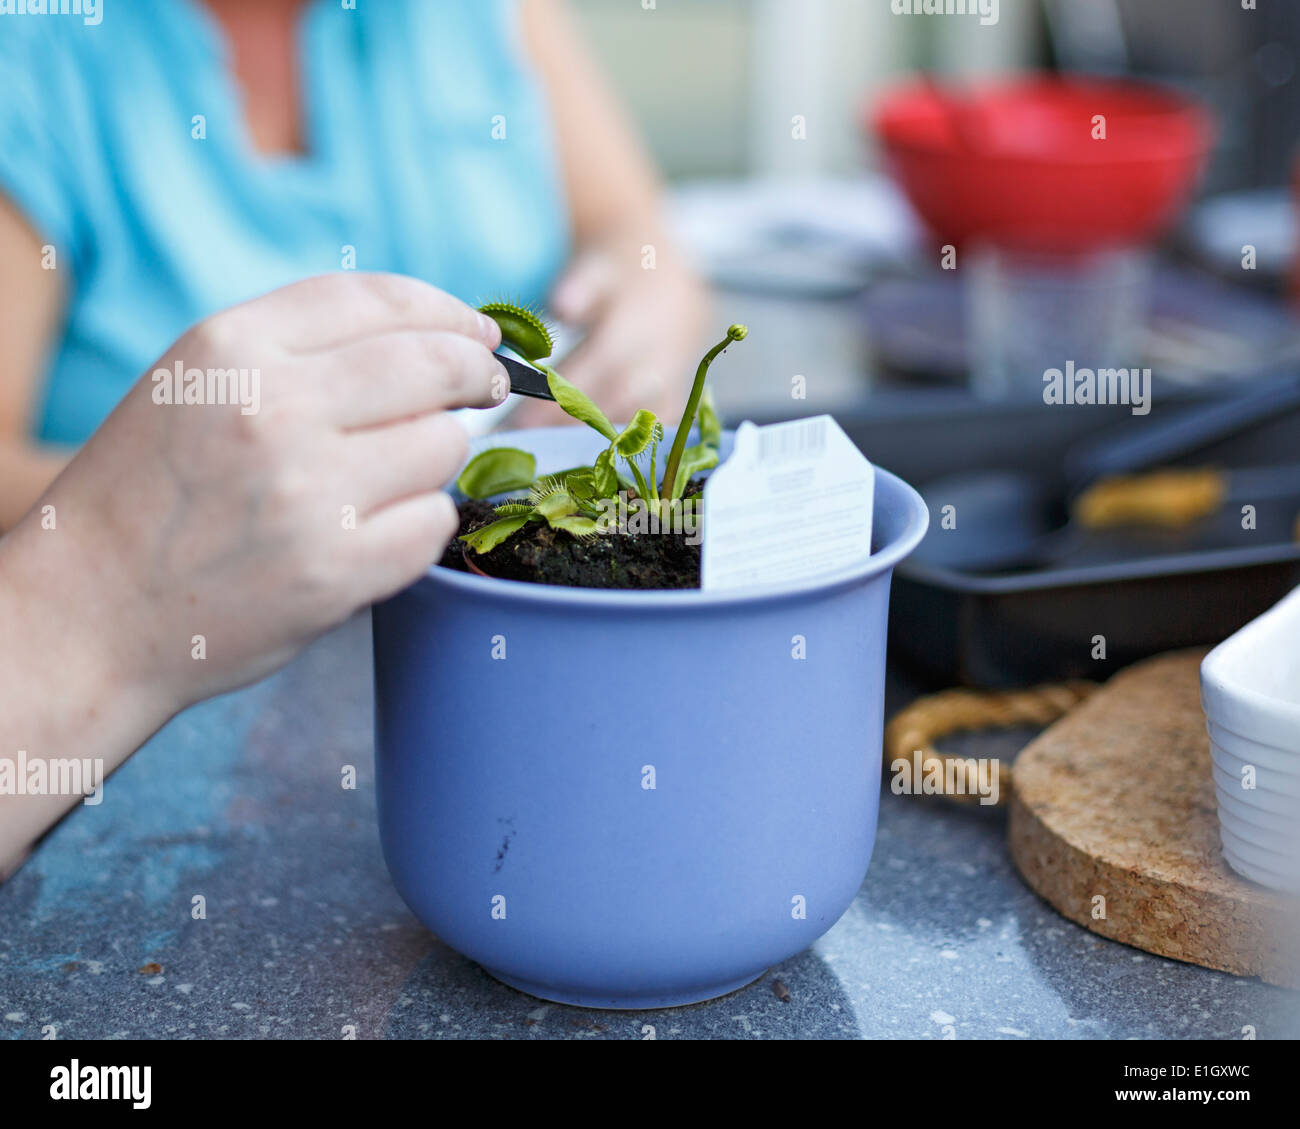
(644, 334)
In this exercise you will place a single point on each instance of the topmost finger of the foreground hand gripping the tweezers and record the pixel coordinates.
(332, 310)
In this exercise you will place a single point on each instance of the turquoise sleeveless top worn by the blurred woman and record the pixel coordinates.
(125, 148)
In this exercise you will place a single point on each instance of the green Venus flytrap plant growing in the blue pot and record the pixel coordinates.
(573, 500)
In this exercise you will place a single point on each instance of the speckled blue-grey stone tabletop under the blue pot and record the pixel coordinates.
(240, 802)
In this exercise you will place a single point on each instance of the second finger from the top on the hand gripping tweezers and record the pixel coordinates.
(385, 379)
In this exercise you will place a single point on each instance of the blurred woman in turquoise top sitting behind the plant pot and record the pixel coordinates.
(188, 155)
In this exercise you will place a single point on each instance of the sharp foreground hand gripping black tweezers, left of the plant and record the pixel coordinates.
(202, 544)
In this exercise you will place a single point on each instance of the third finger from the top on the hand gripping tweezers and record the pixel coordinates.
(414, 457)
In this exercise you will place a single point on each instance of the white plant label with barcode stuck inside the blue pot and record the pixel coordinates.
(791, 503)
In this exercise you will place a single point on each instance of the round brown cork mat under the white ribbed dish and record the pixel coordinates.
(1116, 802)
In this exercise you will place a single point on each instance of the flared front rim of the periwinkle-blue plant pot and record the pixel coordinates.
(627, 599)
